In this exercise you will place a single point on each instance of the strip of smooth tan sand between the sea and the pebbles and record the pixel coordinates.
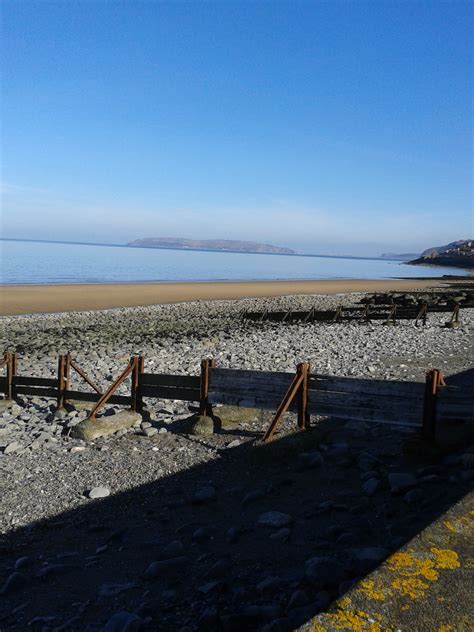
(33, 299)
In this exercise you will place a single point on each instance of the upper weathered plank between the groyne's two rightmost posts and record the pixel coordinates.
(390, 388)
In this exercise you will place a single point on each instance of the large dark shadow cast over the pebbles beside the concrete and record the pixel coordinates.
(261, 538)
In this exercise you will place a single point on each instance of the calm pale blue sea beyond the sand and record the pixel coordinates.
(34, 262)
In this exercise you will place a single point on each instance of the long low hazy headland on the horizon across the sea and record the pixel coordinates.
(226, 245)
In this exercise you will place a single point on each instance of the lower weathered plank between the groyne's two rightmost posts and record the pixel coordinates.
(374, 402)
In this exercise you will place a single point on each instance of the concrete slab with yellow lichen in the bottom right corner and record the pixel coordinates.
(426, 586)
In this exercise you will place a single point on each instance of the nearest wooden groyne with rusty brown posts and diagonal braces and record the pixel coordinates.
(304, 392)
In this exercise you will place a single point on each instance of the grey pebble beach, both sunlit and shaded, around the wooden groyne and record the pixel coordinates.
(172, 530)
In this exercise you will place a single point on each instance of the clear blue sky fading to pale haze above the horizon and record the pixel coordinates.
(341, 127)
